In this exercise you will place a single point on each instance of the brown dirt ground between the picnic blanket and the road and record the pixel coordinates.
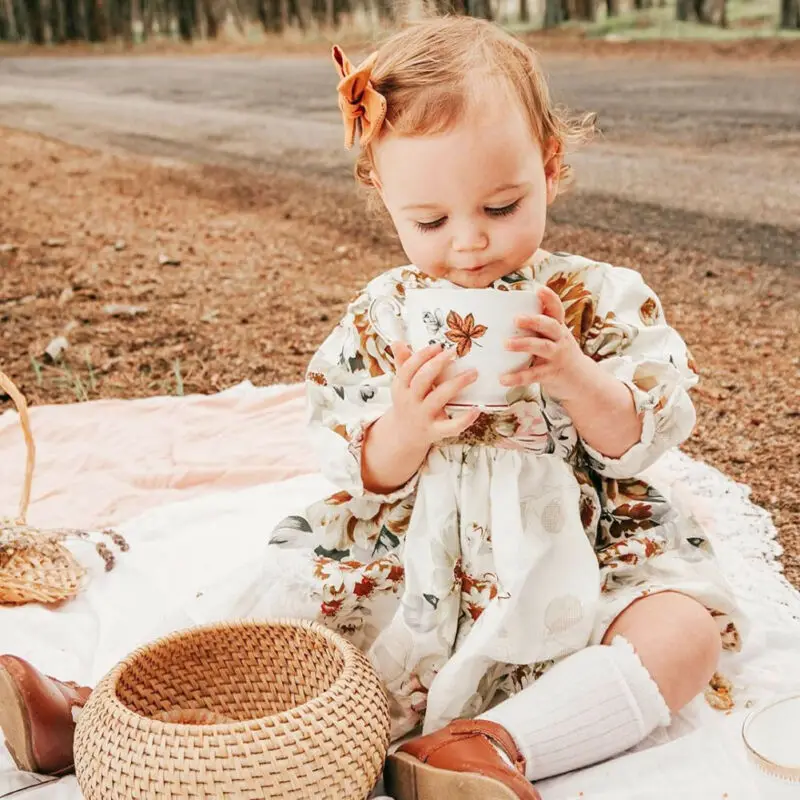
(179, 279)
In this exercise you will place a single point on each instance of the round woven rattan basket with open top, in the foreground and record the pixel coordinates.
(304, 715)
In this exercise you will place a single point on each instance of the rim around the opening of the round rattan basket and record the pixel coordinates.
(348, 651)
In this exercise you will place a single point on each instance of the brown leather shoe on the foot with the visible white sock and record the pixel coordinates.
(459, 762)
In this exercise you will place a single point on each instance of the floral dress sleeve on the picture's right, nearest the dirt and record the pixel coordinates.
(630, 339)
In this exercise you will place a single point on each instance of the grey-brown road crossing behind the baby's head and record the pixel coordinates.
(692, 152)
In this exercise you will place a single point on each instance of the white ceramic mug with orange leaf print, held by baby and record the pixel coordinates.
(475, 322)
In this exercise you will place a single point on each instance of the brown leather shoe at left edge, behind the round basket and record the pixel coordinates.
(36, 716)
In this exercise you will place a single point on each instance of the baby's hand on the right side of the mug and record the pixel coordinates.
(558, 364)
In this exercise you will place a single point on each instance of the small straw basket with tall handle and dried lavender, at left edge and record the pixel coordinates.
(35, 567)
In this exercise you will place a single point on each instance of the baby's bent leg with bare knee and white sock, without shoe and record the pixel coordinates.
(605, 699)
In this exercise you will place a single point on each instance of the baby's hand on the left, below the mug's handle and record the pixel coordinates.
(419, 398)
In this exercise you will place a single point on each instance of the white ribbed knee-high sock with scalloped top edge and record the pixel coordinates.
(594, 704)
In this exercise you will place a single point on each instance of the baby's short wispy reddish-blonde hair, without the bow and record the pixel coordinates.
(433, 71)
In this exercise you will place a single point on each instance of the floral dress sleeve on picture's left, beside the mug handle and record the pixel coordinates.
(348, 388)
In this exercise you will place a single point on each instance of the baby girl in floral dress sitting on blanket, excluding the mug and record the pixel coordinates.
(522, 593)
